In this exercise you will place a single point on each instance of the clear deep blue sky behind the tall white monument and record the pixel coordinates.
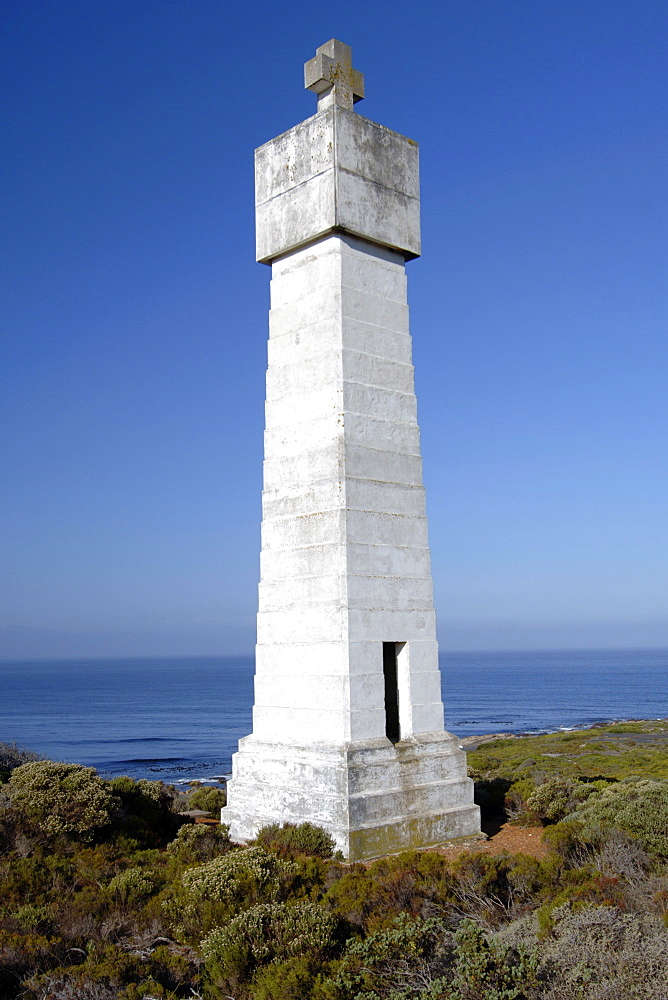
(133, 315)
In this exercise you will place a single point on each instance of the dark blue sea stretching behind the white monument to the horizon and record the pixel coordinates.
(181, 719)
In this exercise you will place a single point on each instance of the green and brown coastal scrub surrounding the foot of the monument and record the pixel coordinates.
(110, 891)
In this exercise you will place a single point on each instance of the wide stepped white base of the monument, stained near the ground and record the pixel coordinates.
(374, 798)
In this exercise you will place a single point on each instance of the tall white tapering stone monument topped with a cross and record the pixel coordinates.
(348, 720)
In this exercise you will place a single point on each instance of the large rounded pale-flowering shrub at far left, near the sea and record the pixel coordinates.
(61, 799)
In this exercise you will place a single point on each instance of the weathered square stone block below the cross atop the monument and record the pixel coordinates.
(337, 172)
